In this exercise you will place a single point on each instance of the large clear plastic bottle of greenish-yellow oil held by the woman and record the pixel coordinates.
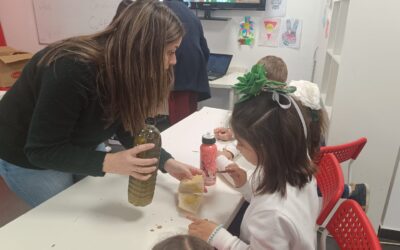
(140, 193)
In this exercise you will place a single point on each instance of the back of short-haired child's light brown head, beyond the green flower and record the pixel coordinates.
(275, 67)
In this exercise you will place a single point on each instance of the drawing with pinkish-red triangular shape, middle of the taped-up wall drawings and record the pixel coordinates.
(269, 33)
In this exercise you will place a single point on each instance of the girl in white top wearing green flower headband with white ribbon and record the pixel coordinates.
(273, 130)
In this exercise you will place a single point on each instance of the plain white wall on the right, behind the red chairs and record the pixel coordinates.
(367, 94)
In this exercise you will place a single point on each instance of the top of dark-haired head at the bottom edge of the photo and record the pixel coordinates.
(183, 242)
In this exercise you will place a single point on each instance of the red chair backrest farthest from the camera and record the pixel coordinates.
(343, 152)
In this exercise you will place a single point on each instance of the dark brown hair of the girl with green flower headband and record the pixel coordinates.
(277, 137)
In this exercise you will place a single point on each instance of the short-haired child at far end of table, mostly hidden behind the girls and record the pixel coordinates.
(277, 71)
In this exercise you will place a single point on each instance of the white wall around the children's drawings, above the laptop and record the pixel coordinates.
(222, 37)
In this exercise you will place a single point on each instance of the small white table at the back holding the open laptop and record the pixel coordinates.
(226, 82)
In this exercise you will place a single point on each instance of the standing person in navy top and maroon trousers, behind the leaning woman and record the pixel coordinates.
(191, 82)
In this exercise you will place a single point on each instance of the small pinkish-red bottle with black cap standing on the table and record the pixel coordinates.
(208, 156)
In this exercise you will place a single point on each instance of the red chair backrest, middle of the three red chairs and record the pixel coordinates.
(330, 182)
